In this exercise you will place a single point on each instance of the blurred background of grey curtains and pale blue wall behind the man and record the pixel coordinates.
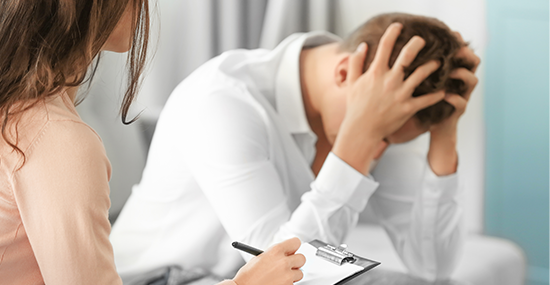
(503, 137)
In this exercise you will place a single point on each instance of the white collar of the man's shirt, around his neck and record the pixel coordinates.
(288, 91)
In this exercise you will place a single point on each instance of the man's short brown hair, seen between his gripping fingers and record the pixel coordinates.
(441, 45)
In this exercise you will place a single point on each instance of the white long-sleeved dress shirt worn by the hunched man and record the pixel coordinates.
(230, 161)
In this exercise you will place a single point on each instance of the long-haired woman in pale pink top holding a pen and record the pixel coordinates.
(54, 172)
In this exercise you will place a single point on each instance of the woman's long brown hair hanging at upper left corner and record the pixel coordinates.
(47, 45)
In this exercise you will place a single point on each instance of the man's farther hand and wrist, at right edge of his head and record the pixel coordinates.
(442, 156)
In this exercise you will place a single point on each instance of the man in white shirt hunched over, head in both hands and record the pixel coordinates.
(259, 146)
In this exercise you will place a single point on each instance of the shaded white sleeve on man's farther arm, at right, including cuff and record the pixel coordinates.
(419, 211)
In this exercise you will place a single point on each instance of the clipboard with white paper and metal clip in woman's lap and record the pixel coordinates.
(331, 265)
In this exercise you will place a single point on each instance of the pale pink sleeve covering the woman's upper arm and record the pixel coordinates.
(62, 192)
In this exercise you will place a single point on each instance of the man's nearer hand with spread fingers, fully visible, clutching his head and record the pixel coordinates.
(380, 100)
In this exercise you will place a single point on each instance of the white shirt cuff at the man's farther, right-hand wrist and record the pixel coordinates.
(440, 189)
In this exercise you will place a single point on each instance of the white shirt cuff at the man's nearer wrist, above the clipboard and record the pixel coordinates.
(343, 184)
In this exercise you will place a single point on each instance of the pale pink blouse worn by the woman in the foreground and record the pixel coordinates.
(54, 208)
